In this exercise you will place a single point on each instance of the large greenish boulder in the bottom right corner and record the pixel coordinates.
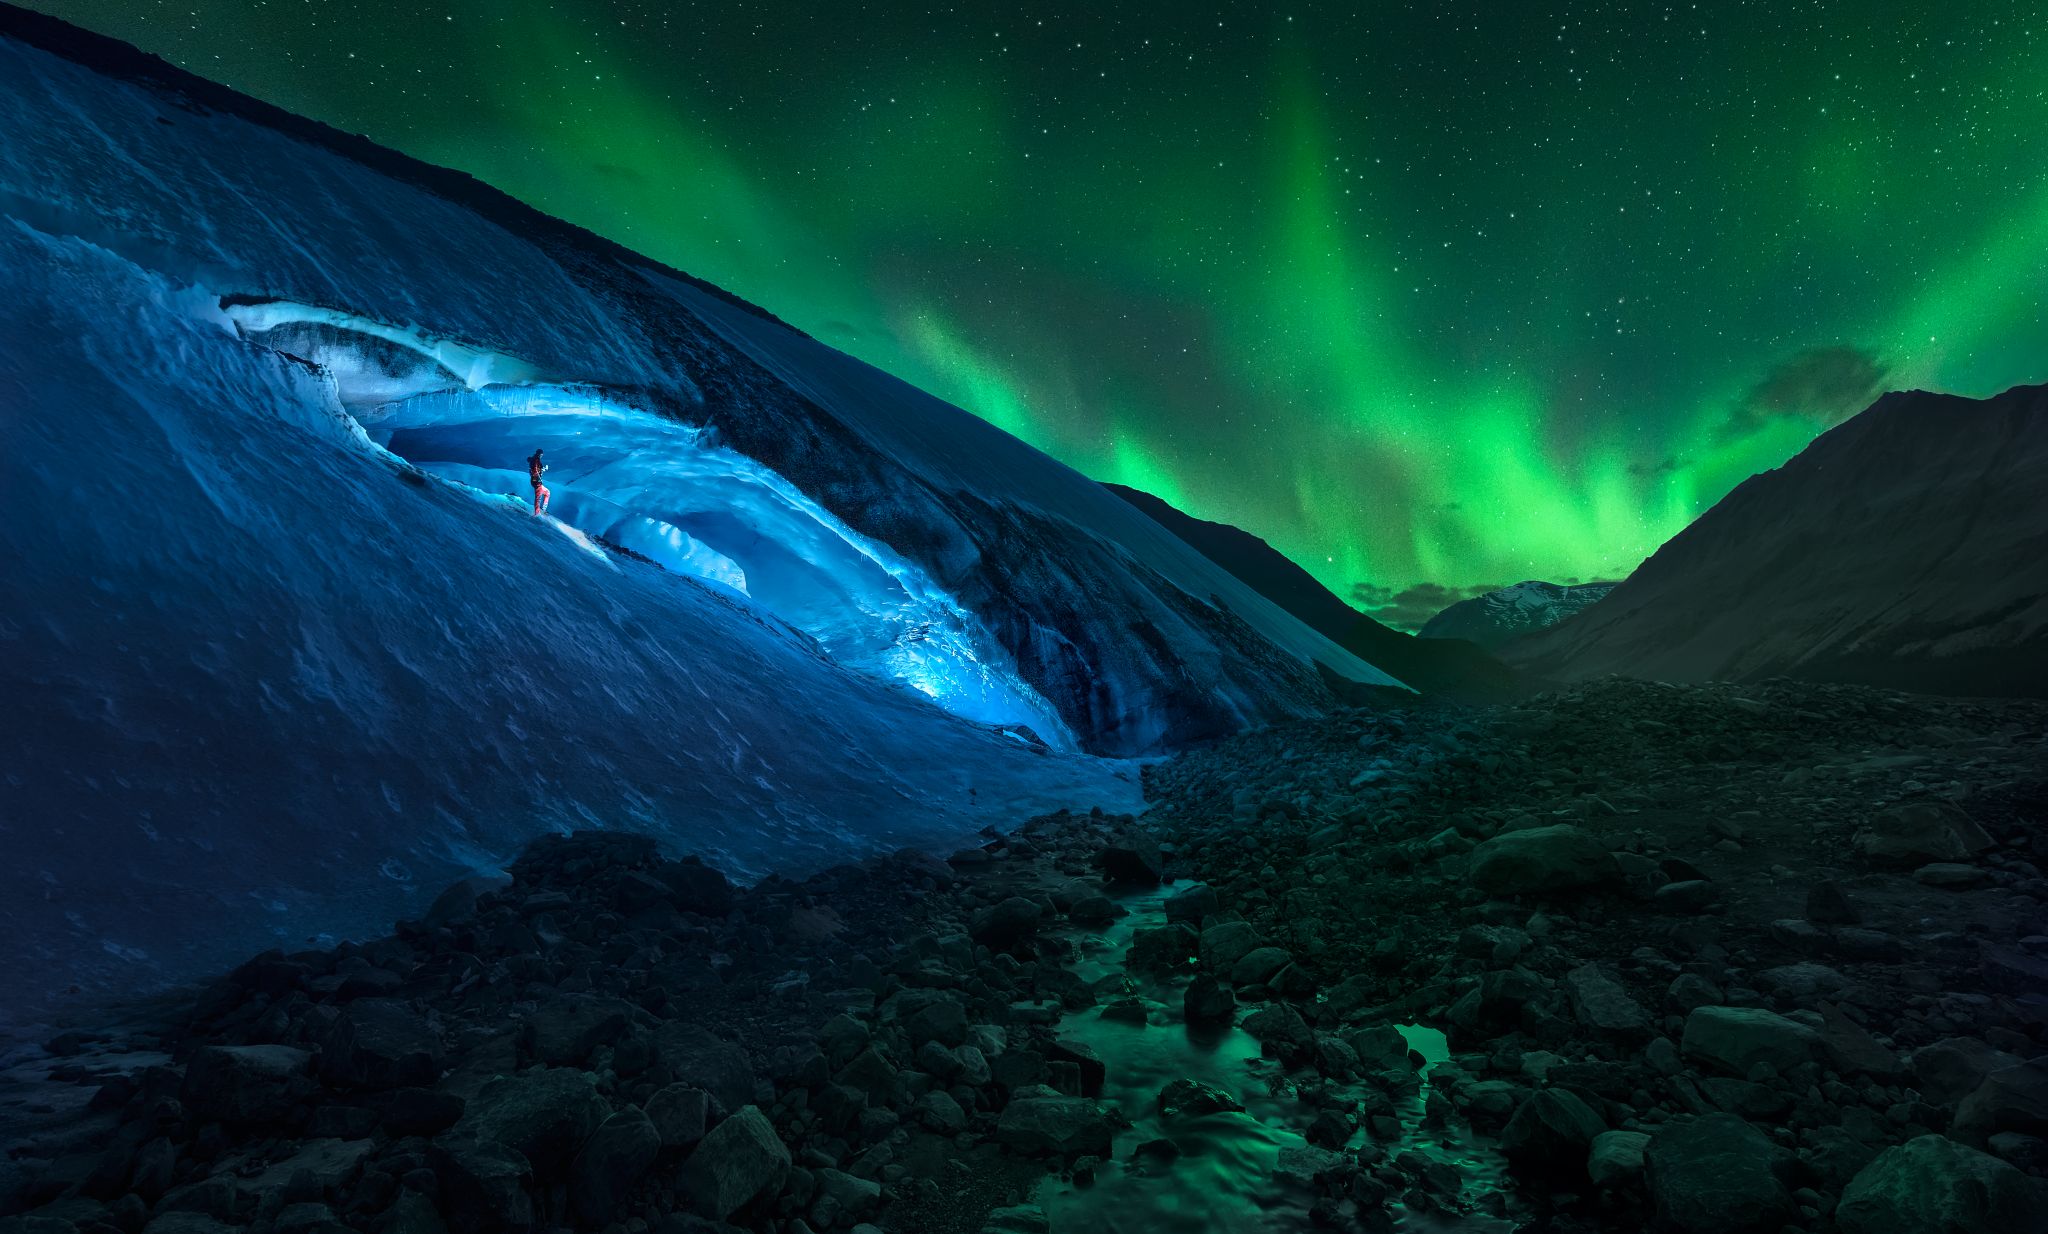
(1934, 1186)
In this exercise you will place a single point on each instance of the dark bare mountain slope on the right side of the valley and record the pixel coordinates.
(1906, 547)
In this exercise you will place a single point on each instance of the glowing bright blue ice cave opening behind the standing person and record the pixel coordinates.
(663, 490)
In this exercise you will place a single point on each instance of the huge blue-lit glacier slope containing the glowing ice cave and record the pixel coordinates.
(288, 652)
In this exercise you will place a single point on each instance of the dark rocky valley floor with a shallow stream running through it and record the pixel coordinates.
(1621, 959)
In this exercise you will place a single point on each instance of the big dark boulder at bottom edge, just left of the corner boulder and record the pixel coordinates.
(1719, 1176)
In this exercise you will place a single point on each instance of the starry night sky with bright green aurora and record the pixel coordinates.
(1431, 296)
